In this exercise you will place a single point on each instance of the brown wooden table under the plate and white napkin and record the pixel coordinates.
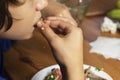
(27, 57)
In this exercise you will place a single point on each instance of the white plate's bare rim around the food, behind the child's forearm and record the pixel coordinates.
(44, 72)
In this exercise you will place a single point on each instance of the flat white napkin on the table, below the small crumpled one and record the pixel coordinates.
(106, 46)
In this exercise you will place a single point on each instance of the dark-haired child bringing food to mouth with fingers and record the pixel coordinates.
(19, 18)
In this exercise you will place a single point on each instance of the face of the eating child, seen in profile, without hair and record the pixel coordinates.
(27, 14)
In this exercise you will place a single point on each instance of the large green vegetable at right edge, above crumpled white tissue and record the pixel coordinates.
(114, 14)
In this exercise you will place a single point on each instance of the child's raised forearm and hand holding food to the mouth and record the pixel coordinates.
(67, 48)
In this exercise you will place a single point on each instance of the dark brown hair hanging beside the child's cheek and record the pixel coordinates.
(5, 16)
